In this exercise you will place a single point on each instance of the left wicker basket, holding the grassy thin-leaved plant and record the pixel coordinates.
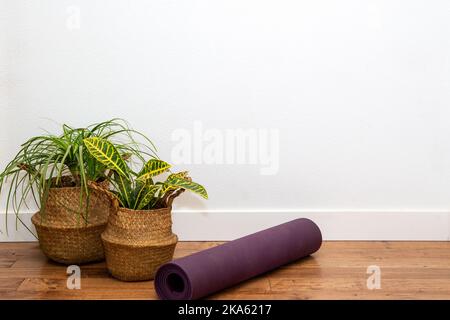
(67, 232)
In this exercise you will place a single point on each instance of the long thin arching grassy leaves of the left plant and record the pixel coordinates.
(44, 160)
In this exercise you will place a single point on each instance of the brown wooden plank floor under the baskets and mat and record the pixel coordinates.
(409, 270)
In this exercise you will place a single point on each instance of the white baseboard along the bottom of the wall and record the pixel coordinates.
(335, 225)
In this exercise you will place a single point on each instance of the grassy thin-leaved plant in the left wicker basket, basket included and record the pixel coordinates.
(66, 182)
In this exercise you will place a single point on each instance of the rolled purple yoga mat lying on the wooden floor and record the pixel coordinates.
(217, 268)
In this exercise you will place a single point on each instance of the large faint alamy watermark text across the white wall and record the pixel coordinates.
(227, 146)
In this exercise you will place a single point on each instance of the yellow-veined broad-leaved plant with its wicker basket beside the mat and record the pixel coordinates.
(138, 237)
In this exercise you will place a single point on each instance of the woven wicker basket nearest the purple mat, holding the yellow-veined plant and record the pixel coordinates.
(137, 242)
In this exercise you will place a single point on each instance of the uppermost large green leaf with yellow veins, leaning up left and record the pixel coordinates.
(106, 153)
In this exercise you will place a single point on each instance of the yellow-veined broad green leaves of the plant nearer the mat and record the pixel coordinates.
(137, 190)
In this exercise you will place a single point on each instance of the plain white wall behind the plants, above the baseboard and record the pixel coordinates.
(359, 91)
